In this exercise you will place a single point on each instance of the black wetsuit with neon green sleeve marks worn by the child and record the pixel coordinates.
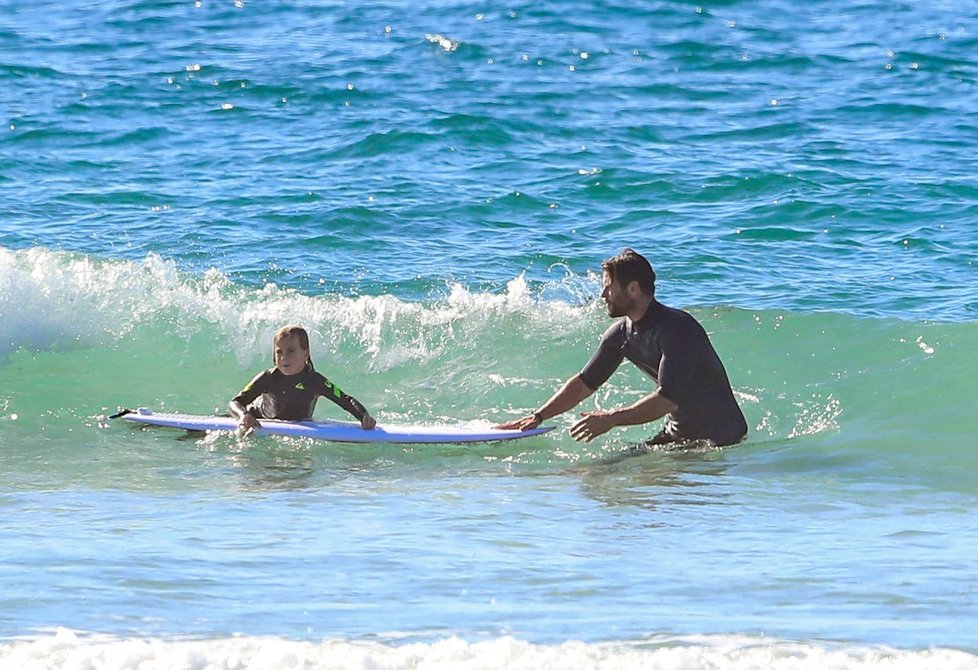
(273, 395)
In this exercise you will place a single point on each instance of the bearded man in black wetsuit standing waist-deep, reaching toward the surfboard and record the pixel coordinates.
(669, 345)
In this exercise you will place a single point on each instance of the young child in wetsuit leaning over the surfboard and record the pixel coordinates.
(289, 391)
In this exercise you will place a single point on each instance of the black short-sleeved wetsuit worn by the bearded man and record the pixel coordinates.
(673, 348)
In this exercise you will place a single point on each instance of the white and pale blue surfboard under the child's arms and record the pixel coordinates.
(335, 431)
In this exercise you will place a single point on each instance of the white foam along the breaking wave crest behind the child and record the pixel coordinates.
(57, 301)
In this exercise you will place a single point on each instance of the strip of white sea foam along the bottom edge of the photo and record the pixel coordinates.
(68, 650)
